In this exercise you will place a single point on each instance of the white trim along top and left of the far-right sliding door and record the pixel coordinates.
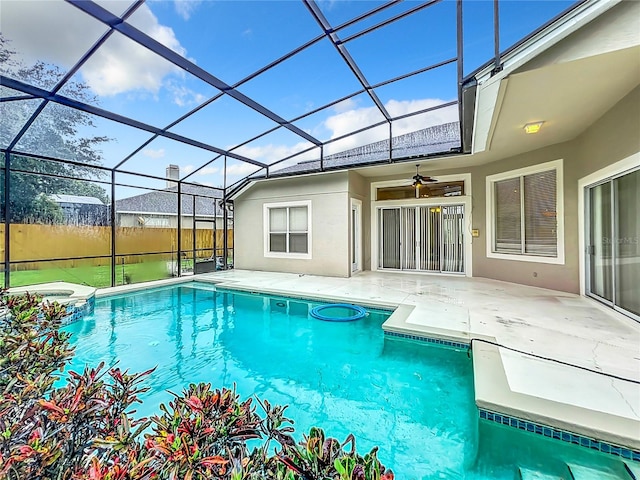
(630, 163)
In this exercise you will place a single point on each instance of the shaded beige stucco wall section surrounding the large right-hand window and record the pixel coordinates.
(612, 138)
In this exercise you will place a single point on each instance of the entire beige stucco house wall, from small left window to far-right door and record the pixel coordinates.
(612, 138)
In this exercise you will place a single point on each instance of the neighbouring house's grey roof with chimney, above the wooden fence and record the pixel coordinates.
(166, 202)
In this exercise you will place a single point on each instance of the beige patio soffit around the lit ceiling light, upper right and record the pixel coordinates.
(569, 97)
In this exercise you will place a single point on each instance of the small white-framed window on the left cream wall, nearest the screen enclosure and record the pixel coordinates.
(287, 230)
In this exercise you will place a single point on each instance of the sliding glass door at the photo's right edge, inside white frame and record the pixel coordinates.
(613, 246)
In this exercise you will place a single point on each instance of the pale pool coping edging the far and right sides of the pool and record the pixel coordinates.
(493, 397)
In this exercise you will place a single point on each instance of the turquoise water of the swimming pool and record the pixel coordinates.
(414, 401)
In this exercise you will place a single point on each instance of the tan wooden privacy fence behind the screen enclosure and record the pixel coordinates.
(43, 242)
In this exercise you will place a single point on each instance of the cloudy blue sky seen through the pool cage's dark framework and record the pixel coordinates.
(231, 39)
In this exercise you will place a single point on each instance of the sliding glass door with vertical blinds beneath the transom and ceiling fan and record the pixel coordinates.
(426, 238)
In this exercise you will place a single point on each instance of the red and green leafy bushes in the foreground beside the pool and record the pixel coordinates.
(86, 430)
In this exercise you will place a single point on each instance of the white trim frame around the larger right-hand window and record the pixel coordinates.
(556, 165)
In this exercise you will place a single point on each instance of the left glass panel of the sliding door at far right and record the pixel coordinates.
(600, 239)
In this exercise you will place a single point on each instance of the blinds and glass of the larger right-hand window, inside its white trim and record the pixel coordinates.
(525, 215)
